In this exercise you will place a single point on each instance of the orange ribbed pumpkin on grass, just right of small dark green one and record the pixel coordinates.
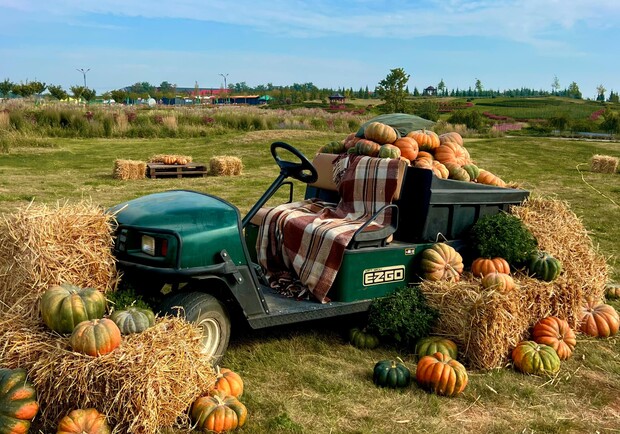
(441, 374)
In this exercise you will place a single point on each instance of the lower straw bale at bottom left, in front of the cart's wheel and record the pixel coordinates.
(146, 384)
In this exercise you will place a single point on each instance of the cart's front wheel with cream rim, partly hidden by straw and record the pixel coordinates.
(207, 312)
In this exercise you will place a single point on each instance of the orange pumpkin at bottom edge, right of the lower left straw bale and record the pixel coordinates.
(218, 413)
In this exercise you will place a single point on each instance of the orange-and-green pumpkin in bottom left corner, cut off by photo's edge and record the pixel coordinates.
(18, 401)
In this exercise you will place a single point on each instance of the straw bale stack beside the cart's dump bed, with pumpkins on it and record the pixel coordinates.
(487, 325)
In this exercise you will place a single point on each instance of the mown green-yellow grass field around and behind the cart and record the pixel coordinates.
(307, 379)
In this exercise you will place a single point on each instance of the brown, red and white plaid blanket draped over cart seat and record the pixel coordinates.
(310, 237)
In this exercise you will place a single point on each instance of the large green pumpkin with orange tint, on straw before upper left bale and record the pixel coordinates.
(65, 306)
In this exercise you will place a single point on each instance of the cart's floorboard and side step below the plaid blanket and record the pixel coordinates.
(288, 310)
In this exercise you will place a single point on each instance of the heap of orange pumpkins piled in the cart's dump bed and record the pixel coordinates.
(444, 154)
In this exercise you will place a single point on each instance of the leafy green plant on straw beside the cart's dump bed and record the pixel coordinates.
(503, 235)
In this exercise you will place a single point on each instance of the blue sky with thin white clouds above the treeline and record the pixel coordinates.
(332, 43)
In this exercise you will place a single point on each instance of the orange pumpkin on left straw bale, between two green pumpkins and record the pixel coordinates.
(95, 337)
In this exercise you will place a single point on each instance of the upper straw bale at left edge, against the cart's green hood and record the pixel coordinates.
(43, 245)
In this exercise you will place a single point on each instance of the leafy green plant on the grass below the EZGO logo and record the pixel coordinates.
(402, 317)
